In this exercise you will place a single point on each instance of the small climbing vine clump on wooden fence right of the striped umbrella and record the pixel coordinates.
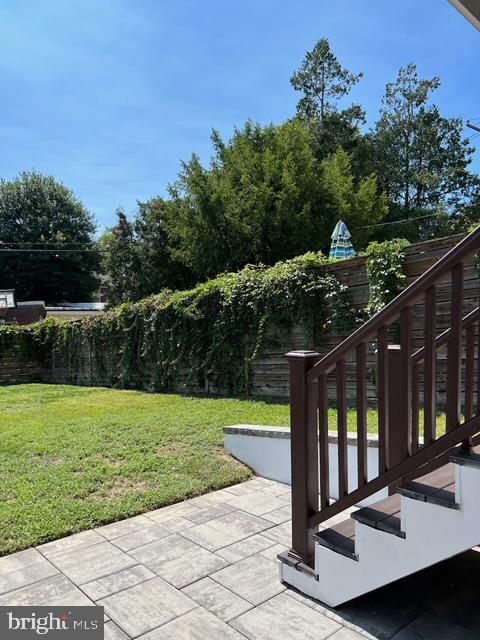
(385, 270)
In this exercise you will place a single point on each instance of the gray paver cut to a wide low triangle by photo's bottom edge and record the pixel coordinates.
(195, 625)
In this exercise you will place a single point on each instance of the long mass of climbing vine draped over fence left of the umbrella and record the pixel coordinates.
(211, 332)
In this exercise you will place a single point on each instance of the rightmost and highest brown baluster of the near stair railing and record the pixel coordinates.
(454, 349)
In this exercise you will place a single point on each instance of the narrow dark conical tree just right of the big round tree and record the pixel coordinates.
(121, 261)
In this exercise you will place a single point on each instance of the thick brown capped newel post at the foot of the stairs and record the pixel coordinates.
(304, 452)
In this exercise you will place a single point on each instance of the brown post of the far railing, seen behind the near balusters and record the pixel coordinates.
(398, 434)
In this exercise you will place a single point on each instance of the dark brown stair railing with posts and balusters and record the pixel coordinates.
(401, 374)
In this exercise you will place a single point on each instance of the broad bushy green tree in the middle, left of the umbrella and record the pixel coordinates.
(260, 201)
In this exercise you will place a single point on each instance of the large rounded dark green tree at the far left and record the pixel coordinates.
(46, 221)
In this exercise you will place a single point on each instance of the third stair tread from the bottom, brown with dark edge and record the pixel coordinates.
(436, 487)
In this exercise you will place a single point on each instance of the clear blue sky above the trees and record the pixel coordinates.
(109, 95)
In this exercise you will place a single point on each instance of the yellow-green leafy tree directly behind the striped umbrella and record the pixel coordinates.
(356, 201)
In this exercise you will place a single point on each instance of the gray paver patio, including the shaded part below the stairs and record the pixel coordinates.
(207, 568)
